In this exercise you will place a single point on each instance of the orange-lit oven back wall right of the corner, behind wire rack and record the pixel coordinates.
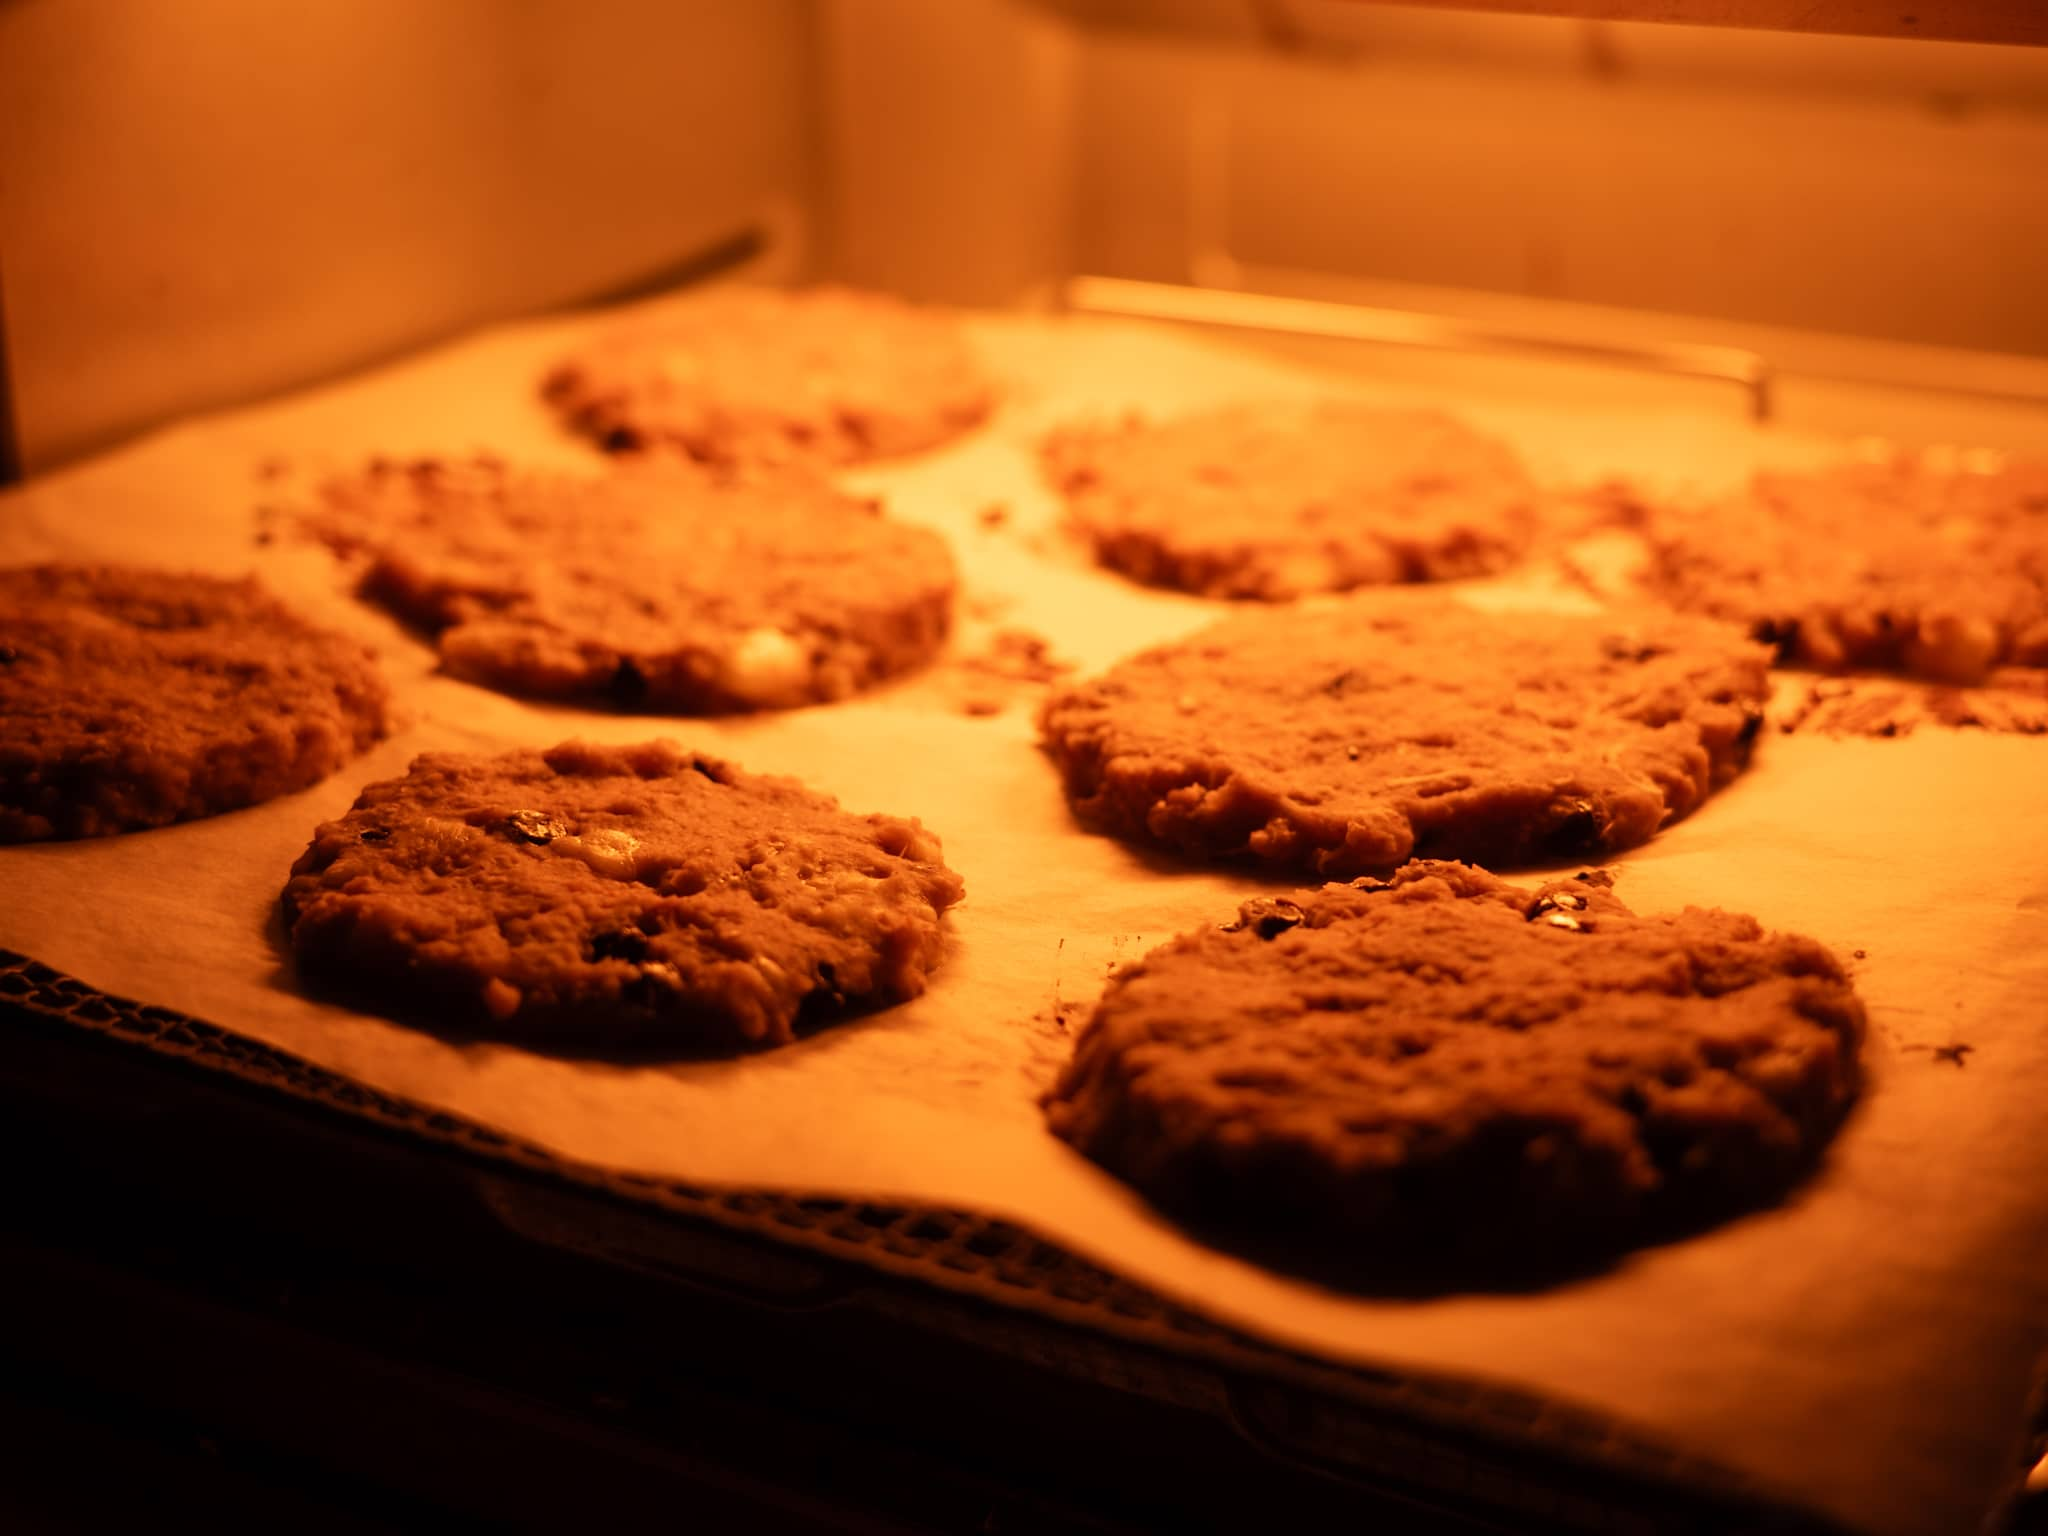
(1842, 185)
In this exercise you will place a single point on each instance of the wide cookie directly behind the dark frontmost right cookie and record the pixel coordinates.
(1355, 736)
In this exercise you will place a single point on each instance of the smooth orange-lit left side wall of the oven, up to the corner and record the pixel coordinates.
(214, 200)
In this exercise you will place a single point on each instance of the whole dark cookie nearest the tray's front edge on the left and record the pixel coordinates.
(615, 896)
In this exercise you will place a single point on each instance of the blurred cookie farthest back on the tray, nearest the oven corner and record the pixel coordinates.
(761, 376)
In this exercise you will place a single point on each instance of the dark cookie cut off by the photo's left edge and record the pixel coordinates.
(134, 699)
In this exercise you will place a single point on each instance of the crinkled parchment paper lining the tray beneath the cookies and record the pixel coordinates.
(1867, 1349)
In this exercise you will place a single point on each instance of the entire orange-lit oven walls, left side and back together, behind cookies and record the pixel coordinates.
(214, 202)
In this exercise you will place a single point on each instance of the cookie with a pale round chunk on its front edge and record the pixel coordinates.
(656, 587)
